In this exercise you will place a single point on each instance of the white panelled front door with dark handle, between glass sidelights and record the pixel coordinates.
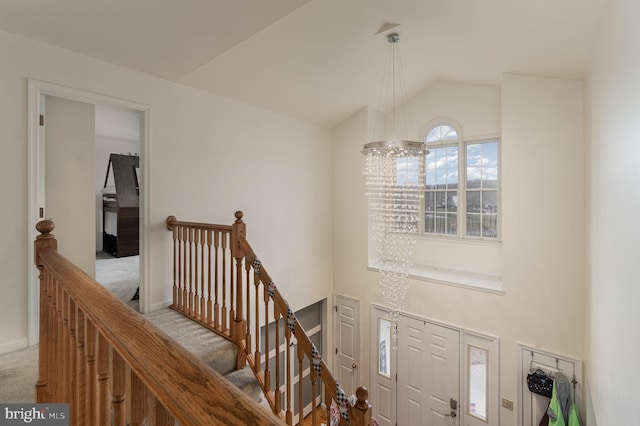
(428, 374)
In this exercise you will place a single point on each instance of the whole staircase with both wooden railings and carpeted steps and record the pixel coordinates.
(113, 365)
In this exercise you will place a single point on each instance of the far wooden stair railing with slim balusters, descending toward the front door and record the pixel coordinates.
(220, 283)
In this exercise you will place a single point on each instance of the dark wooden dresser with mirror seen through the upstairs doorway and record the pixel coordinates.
(123, 204)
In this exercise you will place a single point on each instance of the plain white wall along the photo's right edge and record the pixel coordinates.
(613, 130)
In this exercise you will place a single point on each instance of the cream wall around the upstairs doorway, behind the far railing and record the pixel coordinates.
(209, 157)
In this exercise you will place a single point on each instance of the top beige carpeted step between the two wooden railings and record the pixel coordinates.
(215, 351)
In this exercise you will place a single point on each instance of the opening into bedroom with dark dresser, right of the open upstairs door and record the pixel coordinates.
(117, 196)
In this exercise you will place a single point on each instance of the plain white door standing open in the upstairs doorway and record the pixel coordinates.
(70, 178)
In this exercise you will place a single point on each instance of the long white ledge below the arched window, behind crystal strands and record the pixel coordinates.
(456, 278)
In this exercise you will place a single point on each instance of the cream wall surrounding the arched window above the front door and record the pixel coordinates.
(543, 175)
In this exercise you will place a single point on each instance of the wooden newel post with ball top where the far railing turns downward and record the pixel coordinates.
(239, 327)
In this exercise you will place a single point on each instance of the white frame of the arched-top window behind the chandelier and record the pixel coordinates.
(461, 143)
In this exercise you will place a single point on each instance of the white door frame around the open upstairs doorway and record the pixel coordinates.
(35, 185)
